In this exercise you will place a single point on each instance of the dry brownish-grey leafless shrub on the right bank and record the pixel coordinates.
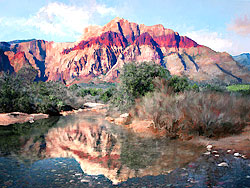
(212, 114)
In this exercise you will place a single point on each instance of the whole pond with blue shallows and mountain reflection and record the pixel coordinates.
(83, 150)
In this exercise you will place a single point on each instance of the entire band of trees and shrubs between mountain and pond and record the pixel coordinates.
(147, 91)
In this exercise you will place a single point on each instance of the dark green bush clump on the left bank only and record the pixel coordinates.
(21, 93)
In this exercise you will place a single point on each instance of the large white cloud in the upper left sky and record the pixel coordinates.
(62, 20)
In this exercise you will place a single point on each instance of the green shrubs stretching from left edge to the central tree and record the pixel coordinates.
(21, 92)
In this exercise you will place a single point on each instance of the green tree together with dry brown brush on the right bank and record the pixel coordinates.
(182, 108)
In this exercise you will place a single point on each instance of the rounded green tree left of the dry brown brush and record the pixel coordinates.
(136, 79)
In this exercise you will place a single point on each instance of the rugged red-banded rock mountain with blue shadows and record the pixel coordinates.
(103, 50)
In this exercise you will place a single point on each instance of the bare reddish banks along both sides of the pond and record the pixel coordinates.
(238, 143)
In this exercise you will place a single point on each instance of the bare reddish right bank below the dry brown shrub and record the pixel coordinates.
(237, 143)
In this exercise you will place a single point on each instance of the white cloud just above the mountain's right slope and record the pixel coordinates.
(213, 40)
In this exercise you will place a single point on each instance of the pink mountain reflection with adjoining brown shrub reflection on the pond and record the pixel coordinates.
(104, 149)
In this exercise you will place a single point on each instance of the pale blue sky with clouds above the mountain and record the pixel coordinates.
(223, 25)
